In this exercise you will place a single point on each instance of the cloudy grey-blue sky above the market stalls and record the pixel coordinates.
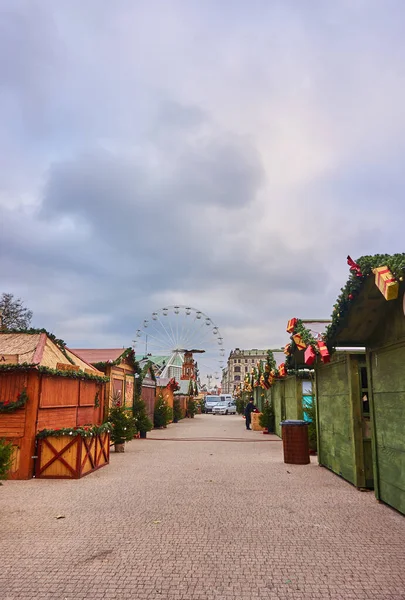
(226, 155)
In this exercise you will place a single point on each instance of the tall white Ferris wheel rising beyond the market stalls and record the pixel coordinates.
(168, 332)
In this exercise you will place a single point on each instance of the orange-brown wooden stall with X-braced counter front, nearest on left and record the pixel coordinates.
(46, 386)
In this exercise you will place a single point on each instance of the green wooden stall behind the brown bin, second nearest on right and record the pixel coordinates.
(342, 424)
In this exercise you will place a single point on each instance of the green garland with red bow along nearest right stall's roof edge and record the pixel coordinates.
(360, 271)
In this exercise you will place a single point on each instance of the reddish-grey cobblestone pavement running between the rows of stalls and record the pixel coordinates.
(199, 520)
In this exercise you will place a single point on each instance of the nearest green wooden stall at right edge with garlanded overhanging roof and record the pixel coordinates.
(370, 312)
